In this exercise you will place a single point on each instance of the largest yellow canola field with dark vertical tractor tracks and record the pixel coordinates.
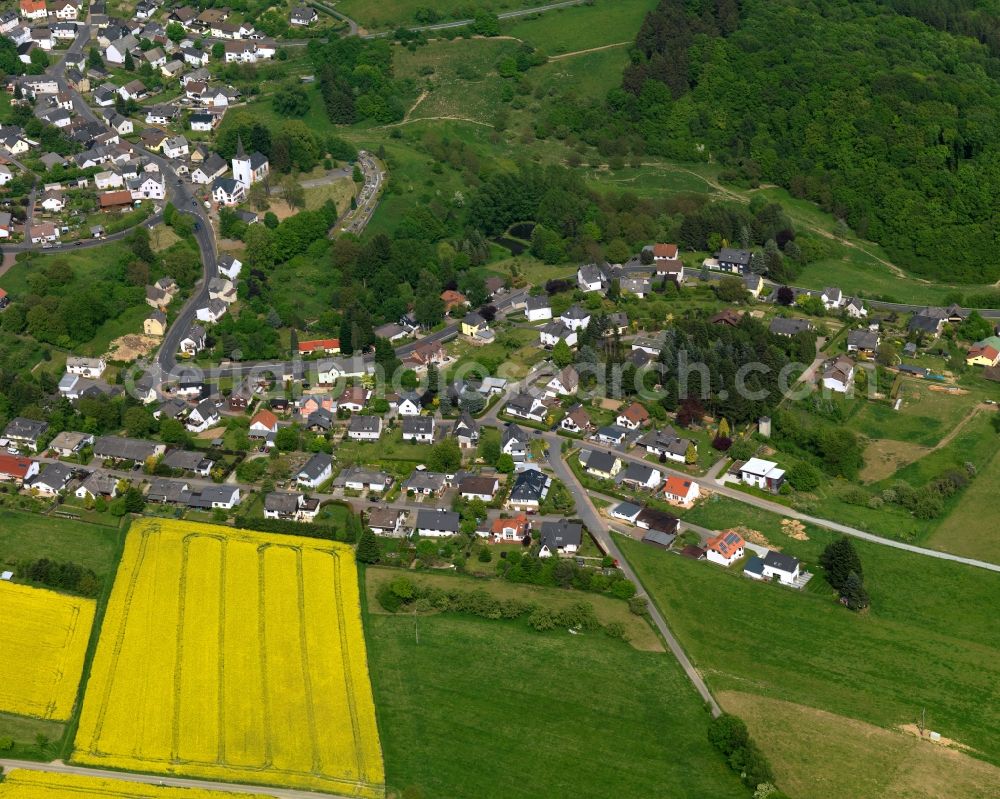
(234, 655)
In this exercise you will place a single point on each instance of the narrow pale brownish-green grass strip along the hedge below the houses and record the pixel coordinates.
(640, 635)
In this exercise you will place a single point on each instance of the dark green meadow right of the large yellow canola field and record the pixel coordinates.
(493, 710)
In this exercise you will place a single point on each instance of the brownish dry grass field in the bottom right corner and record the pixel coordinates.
(817, 755)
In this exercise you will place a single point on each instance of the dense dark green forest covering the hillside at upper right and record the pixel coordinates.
(882, 113)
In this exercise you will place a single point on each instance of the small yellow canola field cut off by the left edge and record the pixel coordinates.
(44, 643)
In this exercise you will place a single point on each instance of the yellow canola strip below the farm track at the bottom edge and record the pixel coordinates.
(21, 784)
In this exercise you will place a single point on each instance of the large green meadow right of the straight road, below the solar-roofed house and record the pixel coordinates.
(928, 640)
